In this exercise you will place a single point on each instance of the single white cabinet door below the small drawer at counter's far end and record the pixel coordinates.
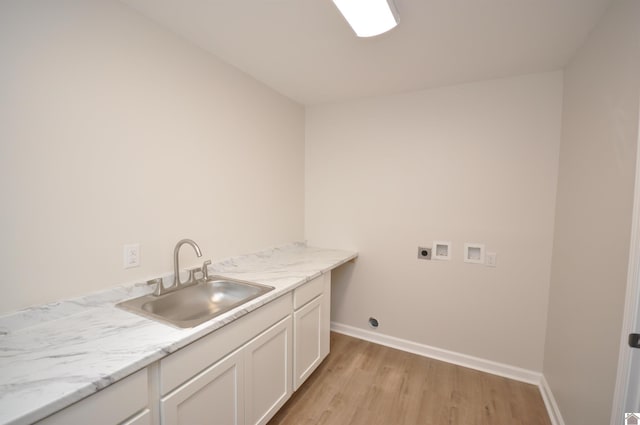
(307, 328)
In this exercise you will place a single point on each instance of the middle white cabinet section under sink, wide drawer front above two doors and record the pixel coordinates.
(247, 386)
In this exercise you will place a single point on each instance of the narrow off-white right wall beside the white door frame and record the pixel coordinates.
(593, 217)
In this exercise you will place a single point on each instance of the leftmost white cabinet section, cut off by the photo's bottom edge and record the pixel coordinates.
(125, 402)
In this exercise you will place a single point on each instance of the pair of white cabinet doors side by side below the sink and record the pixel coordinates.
(246, 387)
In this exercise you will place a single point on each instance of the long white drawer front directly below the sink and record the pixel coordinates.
(195, 357)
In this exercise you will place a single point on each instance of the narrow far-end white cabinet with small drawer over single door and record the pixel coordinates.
(310, 327)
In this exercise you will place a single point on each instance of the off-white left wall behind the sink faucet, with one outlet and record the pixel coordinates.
(115, 131)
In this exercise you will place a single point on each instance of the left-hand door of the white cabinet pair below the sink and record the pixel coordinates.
(213, 397)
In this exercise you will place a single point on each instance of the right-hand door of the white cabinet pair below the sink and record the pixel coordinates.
(268, 372)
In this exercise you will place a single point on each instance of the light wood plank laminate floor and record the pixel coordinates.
(368, 384)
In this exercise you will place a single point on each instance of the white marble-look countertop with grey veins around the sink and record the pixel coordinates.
(56, 354)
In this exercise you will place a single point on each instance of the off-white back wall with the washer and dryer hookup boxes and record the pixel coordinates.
(470, 163)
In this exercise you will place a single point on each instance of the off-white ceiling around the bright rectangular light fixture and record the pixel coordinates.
(305, 50)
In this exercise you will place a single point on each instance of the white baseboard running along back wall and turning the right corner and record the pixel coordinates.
(495, 368)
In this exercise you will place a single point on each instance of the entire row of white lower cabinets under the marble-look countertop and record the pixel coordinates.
(241, 374)
